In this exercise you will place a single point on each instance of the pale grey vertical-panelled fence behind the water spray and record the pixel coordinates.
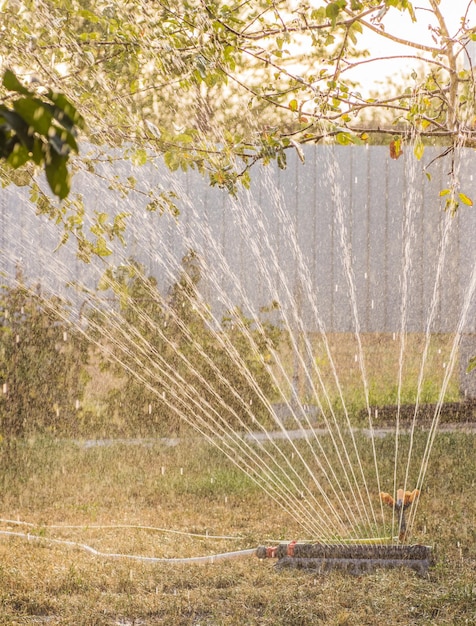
(288, 238)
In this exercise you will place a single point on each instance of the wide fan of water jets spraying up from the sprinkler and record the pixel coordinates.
(323, 268)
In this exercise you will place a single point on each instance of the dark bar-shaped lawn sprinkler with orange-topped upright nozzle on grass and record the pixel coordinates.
(358, 558)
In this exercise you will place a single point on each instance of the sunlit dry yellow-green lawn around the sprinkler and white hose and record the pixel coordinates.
(191, 489)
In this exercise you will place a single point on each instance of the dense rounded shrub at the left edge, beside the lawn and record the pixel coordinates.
(42, 363)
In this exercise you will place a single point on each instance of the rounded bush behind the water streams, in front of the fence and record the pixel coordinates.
(184, 364)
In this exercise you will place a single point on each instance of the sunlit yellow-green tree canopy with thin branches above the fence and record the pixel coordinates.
(217, 87)
